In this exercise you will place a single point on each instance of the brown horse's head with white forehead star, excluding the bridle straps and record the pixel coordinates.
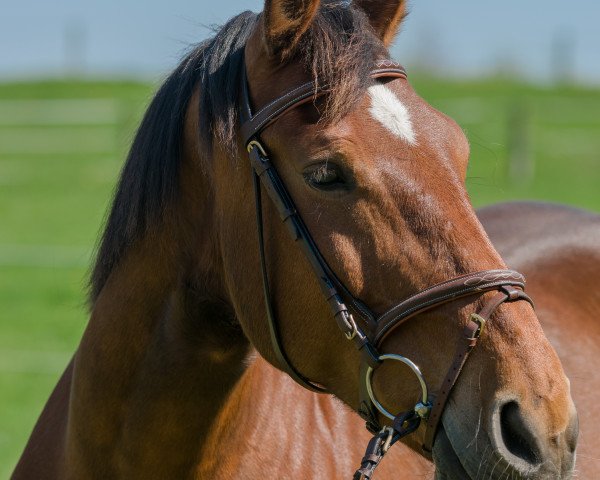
(378, 177)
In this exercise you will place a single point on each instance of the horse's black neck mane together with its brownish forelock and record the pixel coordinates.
(338, 49)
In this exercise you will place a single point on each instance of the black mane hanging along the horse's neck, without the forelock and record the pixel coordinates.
(149, 179)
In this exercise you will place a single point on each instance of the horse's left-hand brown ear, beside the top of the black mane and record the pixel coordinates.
(284, 22)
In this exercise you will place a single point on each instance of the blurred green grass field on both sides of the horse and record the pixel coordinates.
(61, 148)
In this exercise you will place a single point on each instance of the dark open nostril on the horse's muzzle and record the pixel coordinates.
(516, 436)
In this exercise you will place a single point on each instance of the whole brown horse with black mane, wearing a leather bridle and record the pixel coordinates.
(204, 329)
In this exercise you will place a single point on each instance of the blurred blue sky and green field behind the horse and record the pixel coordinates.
(521, 78)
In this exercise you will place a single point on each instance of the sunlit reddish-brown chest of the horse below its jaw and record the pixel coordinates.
(270, 427)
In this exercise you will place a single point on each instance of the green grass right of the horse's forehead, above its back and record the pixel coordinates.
(555, 130)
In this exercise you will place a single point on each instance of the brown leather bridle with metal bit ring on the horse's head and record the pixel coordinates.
(359, 325)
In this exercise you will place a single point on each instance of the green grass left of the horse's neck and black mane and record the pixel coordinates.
(58, 167)
